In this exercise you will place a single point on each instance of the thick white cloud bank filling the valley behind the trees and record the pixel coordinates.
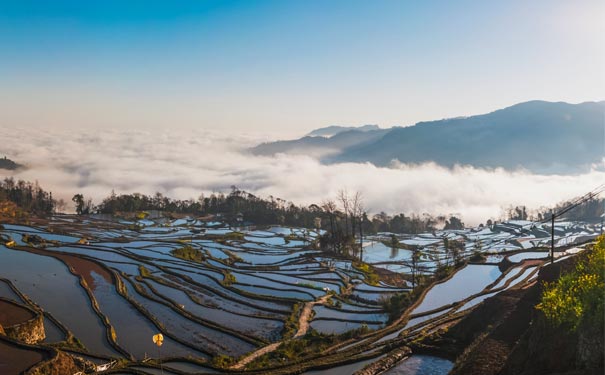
(185, 164)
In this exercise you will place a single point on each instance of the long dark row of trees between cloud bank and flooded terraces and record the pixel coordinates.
(345, 218)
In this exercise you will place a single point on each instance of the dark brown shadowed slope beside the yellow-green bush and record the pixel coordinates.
(504, 335)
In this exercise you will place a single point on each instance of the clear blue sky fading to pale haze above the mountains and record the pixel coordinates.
(289, 66)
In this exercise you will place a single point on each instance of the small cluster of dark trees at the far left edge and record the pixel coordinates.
(28, 196)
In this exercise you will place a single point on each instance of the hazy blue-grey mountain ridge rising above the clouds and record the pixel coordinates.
(542, 137)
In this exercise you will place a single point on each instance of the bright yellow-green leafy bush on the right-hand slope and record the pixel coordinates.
(577, 297)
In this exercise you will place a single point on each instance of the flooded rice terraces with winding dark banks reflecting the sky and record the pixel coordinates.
(106, 286)
